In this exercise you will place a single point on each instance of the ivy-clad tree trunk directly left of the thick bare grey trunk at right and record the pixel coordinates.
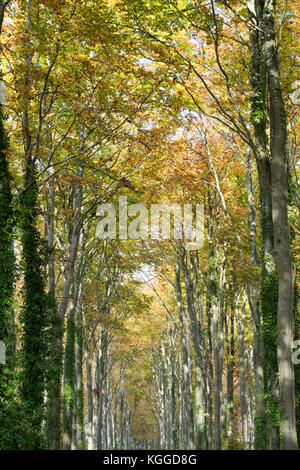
(266, 429)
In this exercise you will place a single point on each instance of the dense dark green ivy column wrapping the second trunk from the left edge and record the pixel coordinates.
(34, 313)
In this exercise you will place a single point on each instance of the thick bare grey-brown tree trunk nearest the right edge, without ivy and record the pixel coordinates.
(284, 265)
